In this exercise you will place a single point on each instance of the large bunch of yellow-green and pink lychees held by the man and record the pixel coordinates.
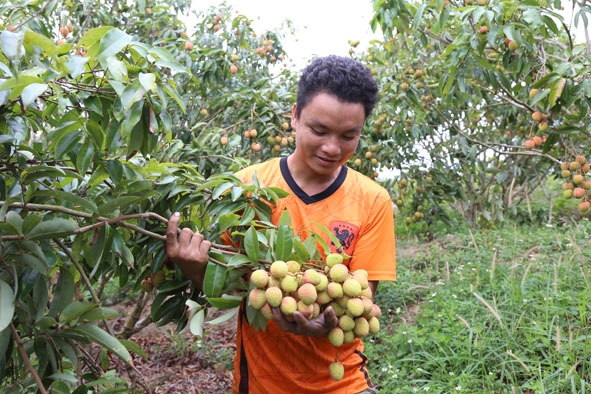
(309, 289)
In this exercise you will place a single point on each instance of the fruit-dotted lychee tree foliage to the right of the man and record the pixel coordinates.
(460, 82)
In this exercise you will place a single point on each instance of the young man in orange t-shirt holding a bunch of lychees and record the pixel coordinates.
(335, 96)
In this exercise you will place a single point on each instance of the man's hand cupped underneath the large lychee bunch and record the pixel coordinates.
(317, 327)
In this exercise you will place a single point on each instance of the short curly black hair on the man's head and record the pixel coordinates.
(339, 76)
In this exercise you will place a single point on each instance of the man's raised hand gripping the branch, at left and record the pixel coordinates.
(188, 250)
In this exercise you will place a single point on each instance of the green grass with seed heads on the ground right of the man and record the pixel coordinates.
(493, 311)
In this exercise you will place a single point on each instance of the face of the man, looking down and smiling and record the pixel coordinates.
(327, 133)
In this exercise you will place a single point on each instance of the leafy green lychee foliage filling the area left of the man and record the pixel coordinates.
(106, 133)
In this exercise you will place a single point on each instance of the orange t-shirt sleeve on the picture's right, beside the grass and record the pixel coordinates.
(375, 251)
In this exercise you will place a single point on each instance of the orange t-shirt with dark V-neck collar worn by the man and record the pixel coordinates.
(358, 211)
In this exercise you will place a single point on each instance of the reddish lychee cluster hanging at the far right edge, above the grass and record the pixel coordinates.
(576, 183)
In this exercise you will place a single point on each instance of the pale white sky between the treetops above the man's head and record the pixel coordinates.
(323, 27)
